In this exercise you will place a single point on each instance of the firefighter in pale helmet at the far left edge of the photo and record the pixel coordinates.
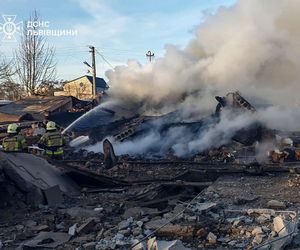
(13, 142)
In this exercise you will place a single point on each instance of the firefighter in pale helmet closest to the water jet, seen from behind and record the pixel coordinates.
(52, 141)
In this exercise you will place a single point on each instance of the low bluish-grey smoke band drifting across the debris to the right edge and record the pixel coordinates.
(184, 142)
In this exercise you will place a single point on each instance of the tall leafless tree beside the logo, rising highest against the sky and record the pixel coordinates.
(34, 60)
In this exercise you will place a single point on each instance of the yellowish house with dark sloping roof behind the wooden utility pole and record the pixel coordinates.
(82, 87)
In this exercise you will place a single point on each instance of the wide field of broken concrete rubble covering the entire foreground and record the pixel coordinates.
(235, 212)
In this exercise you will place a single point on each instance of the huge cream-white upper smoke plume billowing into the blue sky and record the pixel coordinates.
(253, 47)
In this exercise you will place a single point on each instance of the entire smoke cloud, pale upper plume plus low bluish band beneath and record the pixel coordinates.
(253, 47)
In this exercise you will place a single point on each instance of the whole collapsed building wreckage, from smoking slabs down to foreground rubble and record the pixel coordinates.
(216, 198)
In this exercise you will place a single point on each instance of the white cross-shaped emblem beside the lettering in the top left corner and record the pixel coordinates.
(10, 28)
